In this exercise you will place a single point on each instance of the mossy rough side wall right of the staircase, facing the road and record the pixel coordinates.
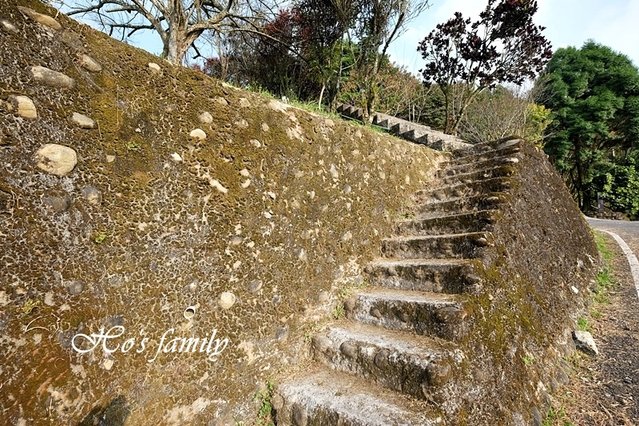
(536, 278)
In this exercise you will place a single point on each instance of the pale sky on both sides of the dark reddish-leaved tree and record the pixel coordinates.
(614, 23)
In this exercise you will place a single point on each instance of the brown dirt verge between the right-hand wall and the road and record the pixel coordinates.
(605, 390)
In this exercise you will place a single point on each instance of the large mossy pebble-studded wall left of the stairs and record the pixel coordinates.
(250, 227)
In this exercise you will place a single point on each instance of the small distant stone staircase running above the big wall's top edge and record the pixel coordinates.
(407, 130)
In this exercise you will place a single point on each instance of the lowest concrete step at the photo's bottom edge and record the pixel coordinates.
(324, 398)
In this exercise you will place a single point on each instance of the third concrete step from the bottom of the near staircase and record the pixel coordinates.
(428, 314)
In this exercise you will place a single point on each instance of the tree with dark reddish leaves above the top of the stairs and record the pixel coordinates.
(464, 58)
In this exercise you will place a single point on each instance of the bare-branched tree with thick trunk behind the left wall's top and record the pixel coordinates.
(179, 23)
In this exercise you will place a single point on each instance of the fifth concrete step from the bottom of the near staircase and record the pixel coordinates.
(457, 246)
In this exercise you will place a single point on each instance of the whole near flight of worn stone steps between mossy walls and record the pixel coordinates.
(395, 358)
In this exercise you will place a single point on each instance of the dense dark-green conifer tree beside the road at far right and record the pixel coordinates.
(594, 95)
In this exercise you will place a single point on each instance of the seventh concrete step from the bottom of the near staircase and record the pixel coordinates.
(450, 206)
